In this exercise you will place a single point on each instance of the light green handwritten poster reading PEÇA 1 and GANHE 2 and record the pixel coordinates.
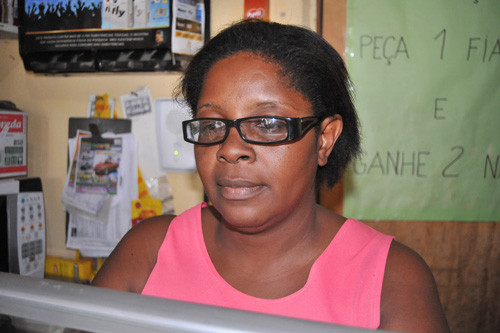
(426, 78)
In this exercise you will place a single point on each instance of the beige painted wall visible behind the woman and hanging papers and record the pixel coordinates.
(51, 100)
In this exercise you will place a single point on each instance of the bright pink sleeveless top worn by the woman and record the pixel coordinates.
(344, 285)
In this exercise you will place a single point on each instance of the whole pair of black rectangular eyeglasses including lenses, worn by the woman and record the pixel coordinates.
(257, 130)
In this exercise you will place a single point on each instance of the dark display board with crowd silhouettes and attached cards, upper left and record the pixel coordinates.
(59, 36)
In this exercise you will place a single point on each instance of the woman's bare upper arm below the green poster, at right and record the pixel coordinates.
(410, 300)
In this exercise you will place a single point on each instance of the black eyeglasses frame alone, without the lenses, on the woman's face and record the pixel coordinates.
(297, 128)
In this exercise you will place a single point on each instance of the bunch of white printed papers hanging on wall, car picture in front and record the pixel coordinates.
(95, 231)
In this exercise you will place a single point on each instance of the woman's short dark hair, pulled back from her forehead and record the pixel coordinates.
(307, 61)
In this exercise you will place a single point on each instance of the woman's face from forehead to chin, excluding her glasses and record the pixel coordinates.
(255, 186)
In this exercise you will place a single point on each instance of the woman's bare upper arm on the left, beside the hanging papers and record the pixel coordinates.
(131, 262)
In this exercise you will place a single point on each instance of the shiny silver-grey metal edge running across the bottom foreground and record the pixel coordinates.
(102, 310)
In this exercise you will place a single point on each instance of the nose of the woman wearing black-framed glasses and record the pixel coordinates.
(234, 149)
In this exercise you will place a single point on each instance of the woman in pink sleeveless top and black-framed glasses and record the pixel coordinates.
(272, 121)
